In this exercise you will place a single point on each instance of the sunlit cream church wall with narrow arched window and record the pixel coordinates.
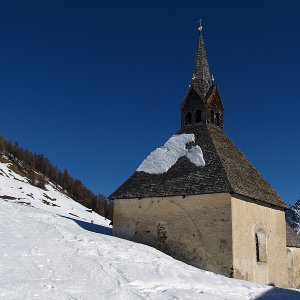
(247, 218)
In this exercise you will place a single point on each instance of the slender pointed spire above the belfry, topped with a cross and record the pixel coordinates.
(201, 79)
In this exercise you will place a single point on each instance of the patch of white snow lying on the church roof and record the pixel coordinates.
(163, 158)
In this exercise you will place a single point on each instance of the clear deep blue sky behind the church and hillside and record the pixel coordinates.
(96, 85)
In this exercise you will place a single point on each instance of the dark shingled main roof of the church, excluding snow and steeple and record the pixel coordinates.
(226, 170)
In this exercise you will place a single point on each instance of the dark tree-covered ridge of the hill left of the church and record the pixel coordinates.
(40, 171)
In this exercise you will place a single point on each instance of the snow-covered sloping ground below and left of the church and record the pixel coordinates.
(46, 252)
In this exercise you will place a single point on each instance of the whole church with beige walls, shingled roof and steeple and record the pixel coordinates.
(200, 200)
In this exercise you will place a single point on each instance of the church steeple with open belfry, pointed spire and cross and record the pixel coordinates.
(202, 104)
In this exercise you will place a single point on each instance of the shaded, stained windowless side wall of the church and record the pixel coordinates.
(194, 229)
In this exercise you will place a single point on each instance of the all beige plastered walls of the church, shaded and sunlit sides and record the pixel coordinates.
(214, 232)
